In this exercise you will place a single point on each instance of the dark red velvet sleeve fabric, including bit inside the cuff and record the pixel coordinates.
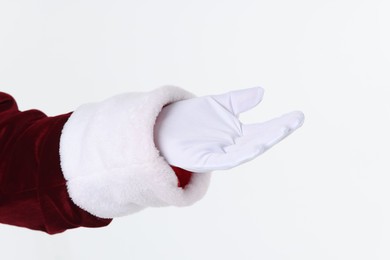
(33, 191)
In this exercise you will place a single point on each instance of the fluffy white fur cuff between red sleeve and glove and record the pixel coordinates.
(111, 163)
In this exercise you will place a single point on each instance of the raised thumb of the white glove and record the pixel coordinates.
(240, 100)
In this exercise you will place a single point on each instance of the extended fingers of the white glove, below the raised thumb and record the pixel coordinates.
(273, 131)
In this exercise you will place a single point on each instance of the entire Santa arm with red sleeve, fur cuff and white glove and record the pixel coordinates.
(101, 161)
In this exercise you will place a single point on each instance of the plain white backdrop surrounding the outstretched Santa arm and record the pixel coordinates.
(323, 193)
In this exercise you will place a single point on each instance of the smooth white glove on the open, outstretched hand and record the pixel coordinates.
(204, 134)
